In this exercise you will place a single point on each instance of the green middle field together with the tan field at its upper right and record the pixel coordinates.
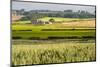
(81, 29)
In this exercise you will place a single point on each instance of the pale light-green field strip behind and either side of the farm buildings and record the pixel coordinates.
(57, 19)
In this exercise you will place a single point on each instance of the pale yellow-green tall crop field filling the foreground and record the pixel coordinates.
(52, 53)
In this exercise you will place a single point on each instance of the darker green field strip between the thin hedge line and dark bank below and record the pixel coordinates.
(46, 34)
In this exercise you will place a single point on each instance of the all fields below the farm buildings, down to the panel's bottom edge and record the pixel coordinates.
(60, 42)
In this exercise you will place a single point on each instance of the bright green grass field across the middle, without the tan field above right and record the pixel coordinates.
(36, 31)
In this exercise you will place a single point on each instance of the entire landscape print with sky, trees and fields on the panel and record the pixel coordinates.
(50, 33)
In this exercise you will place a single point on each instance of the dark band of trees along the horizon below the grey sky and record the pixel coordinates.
(34, 15)
